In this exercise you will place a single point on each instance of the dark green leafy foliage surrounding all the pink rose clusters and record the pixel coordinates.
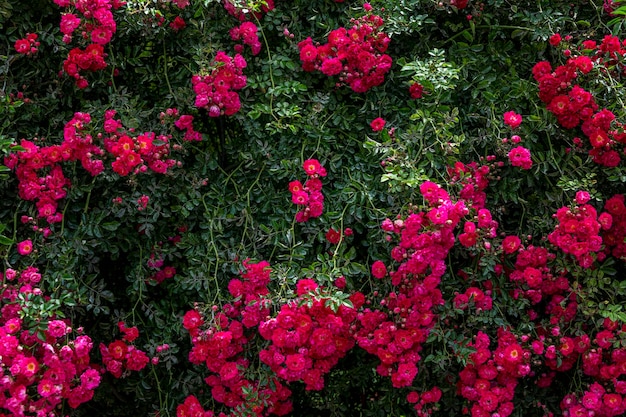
(227, 199)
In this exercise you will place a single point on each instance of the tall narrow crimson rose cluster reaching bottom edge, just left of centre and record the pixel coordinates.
(219, 339)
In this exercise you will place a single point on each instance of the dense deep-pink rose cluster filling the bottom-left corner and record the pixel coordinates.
(43, 363)
